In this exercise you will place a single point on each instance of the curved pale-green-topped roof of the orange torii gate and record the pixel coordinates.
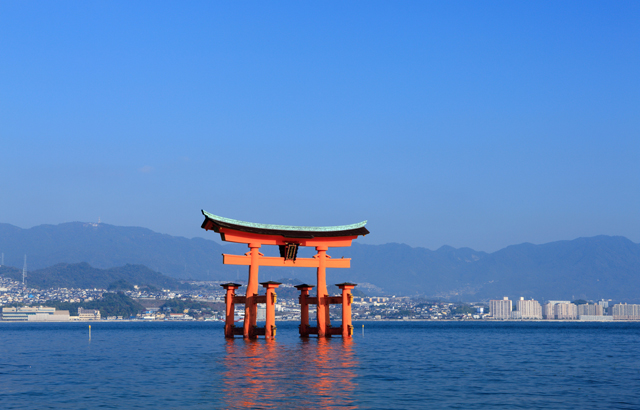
(214, 222)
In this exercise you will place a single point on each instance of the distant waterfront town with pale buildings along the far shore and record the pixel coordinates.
(206, 302)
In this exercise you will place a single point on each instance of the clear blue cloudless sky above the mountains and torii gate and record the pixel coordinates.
(479, 124)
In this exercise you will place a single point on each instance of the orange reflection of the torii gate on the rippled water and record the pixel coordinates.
(313, 373)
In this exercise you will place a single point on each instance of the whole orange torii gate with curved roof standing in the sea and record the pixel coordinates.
(288, 238)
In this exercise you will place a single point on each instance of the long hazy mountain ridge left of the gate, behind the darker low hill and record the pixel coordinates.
(106, 246)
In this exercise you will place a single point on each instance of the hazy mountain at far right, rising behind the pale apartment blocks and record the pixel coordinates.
(584, 268)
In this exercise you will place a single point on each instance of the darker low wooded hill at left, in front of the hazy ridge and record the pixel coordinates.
(83, 276)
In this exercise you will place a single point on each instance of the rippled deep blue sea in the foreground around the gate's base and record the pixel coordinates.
(394, 365)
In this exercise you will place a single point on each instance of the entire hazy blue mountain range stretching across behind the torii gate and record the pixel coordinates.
(587, 268)
